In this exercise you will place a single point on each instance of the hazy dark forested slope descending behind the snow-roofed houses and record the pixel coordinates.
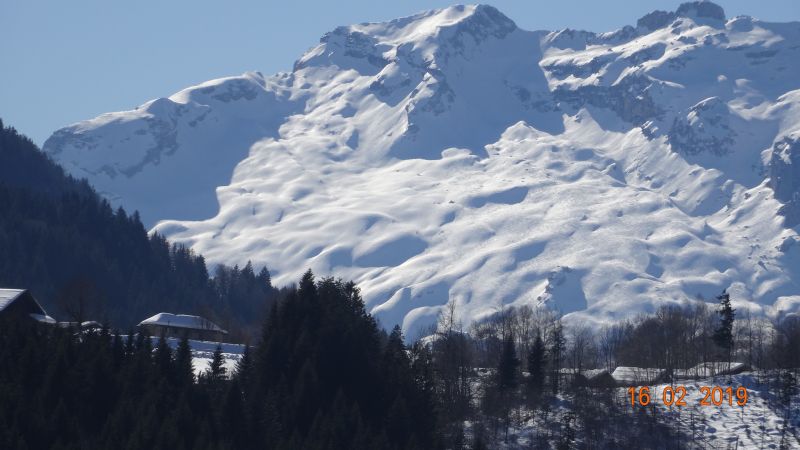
(84, 260)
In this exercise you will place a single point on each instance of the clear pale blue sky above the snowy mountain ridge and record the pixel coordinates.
(68, 60)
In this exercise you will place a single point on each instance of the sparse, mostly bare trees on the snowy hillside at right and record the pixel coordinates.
(518, 367)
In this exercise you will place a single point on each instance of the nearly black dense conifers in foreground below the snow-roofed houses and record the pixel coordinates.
(323, 376)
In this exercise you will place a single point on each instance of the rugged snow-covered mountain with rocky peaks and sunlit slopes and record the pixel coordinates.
(452, 155)
